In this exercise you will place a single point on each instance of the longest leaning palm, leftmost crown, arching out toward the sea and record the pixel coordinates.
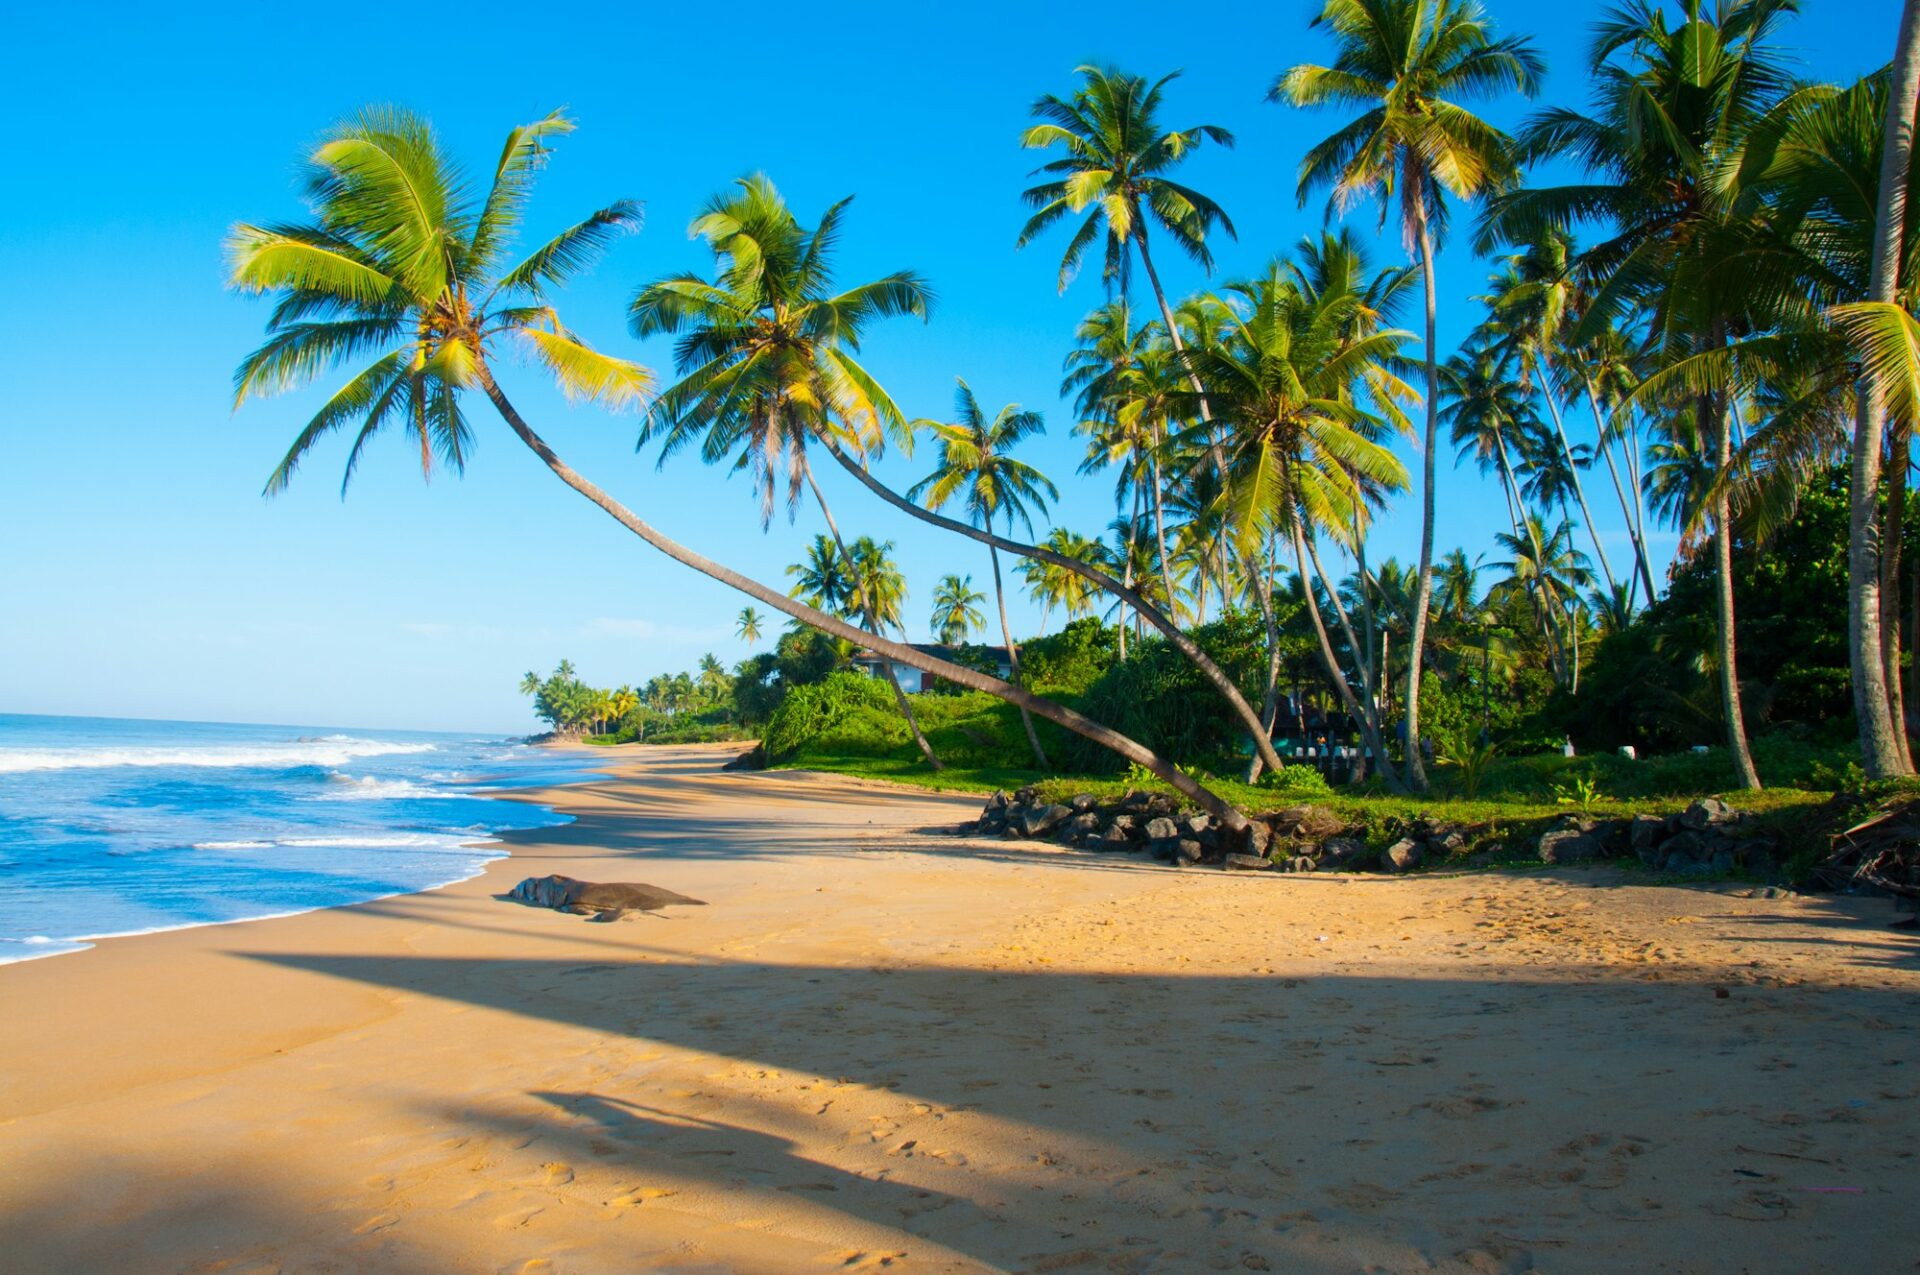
(404, 268)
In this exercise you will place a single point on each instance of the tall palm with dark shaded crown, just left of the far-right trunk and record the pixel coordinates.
(1675, 103)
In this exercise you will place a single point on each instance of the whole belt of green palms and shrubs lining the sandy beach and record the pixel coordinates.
(1228, 635)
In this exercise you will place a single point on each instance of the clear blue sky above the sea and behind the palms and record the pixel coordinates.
(147, 577)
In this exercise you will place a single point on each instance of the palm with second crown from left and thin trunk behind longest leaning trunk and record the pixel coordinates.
(767, 356)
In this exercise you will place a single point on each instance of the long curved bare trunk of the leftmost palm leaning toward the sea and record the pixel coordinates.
(903, 654)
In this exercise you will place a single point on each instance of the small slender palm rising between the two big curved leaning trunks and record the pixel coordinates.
(976, 468)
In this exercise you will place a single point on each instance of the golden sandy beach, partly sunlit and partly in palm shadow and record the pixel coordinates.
(890, 1051)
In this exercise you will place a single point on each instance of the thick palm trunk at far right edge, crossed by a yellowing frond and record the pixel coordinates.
(1881, 748)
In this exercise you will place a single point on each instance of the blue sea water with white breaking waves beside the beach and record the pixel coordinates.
(116, 827)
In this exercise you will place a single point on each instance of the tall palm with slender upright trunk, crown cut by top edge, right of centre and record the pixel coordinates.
(1410, 64)
